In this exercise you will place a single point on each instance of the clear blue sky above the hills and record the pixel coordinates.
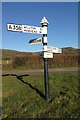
(62, 28)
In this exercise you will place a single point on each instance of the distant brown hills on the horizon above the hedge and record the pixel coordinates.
(9, 54)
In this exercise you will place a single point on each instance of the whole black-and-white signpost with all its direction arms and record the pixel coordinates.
(47, 50)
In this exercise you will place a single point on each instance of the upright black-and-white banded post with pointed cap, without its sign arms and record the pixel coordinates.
(44, 23)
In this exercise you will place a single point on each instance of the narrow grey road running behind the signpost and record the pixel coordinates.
(40, 71)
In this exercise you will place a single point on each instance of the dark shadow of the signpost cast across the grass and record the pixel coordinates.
(32, 87)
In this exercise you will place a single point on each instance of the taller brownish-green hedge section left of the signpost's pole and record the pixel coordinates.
(27, 62)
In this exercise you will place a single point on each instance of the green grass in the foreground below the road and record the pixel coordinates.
(23, 96)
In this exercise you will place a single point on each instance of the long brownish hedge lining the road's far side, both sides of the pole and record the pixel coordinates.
(35, 62)
